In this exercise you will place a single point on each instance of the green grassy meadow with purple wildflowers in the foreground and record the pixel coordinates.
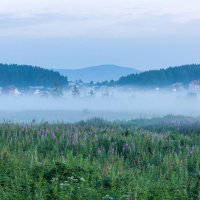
(141, 159)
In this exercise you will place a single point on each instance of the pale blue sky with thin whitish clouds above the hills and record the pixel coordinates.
(143, 34)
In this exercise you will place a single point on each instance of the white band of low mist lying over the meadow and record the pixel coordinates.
(118, 104)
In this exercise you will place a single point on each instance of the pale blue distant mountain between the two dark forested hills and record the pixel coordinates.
(97, 73)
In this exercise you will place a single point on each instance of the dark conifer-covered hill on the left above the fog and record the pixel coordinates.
(24, 76)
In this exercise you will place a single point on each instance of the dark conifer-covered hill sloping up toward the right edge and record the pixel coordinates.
(163, 77)
